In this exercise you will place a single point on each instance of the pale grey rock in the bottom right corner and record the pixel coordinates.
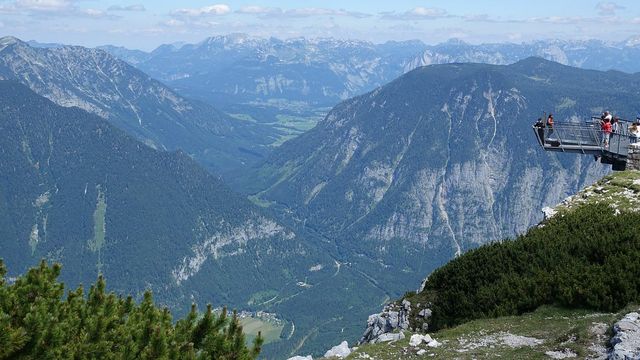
(626, 338)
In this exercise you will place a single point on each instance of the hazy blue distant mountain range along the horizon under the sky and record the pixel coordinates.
(289, 74)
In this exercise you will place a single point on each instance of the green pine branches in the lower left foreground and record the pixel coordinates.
(36, 323)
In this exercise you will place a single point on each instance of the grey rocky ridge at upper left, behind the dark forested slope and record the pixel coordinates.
(97, 82)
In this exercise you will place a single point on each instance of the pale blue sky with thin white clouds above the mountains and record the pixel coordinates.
(146, 24)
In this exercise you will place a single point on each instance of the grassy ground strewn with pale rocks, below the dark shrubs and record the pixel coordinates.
(577, 330)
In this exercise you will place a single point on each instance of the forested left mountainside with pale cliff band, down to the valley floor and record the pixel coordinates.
(77, 190)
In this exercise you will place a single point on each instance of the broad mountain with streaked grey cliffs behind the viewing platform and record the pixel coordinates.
(439, 161)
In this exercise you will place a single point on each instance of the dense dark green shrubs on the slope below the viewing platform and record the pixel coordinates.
(587, 258)
